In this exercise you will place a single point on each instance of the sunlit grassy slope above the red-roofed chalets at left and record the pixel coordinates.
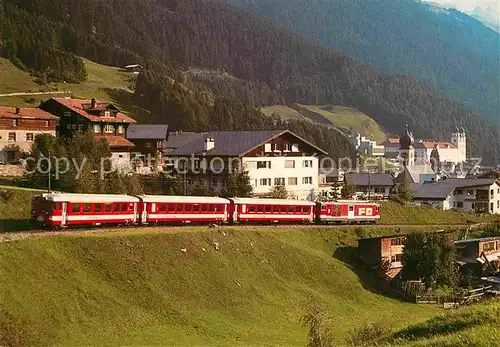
(103, 82)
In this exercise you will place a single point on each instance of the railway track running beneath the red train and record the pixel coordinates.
(20, 235)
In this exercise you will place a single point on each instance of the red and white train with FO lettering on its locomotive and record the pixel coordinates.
(67, 210)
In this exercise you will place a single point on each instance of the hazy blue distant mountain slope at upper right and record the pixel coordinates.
(442, 47)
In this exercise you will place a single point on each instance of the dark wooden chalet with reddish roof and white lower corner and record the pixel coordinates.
(101, 117)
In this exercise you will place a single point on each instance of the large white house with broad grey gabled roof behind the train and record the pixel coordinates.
(271, 157)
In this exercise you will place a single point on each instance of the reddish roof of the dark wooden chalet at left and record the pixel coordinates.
(83, 108)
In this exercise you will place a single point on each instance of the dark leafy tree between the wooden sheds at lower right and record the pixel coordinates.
(430, 257)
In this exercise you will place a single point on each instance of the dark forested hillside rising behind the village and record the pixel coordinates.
(273, 62)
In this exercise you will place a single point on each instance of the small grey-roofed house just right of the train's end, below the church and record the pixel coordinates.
(370, 185)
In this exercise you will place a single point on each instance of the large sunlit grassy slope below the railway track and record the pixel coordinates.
(140, 289)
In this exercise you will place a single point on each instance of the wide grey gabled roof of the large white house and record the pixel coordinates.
(234, 143)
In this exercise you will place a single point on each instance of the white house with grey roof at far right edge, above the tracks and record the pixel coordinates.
(480, 195)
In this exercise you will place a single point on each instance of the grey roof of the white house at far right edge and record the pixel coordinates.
(442, 189)
